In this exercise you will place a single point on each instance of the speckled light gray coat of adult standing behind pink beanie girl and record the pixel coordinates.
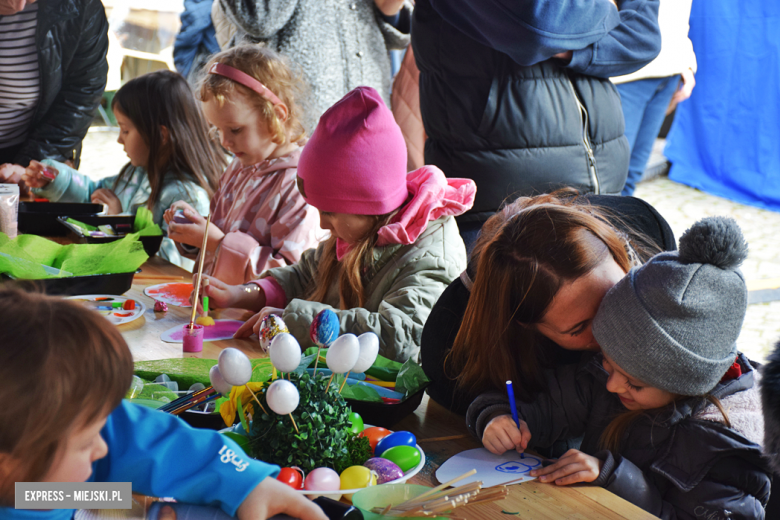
(338, 44)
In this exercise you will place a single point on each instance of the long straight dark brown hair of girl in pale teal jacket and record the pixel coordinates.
(164, 98)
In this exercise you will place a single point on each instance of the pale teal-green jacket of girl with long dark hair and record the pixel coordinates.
(72, 186)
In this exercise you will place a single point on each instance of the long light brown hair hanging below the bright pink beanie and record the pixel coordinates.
(351, 270)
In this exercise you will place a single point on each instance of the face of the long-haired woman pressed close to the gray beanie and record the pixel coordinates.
(570, 315)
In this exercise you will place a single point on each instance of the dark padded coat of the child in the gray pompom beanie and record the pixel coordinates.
(681, 462)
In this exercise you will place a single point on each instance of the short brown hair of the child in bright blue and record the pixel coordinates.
(62, 366)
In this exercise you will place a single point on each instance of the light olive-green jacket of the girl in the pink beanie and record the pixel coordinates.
(403, 286)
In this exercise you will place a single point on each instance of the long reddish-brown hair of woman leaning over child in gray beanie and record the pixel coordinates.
(525, 254)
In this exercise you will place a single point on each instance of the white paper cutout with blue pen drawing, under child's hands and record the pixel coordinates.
(491, 469)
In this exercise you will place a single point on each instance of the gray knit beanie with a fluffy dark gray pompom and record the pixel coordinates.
(673, 322)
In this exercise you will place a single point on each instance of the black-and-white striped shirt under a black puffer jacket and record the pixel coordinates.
(19, 75)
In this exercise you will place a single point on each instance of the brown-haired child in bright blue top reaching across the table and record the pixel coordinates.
(65, 370)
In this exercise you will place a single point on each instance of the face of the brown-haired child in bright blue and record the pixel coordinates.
(83, 446)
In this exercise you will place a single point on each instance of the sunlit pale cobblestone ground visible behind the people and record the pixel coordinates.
(679, 204)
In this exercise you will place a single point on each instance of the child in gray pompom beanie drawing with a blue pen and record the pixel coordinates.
(669, 412)
